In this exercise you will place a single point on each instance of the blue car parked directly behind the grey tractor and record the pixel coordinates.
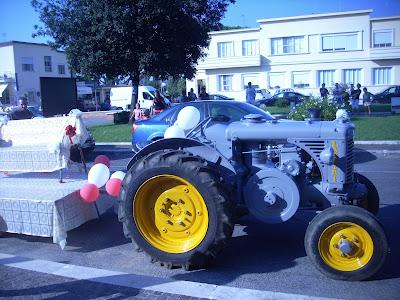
(147, 131)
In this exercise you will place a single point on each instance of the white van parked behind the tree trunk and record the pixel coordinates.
(121, 96)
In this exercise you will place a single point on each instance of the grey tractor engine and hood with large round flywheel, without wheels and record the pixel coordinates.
(289, 165)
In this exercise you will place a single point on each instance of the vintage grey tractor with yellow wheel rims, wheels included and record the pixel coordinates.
(181, 196)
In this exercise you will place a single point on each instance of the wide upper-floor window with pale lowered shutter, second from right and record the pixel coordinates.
(340, 42)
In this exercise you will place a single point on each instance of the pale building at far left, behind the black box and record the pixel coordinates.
(21, 66)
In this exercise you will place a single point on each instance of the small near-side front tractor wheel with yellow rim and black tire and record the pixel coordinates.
(346, 243)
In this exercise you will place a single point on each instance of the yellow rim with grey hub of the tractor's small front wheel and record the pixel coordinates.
(346, 246)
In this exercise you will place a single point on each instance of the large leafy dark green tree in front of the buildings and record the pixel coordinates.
(130, 38)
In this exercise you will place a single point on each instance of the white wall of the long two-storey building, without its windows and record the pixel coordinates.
(312, 27)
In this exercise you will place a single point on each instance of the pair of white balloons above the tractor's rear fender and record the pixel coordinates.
(188, 118)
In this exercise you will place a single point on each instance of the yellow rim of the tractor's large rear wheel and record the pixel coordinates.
(170, 214)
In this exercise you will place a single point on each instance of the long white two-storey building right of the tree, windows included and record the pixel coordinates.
(303, 52)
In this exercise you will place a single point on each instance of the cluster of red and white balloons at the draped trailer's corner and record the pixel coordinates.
(98, 176)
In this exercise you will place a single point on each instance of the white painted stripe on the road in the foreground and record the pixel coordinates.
(164, 285)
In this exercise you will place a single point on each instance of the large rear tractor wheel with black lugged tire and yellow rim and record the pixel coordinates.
(175, 208)
